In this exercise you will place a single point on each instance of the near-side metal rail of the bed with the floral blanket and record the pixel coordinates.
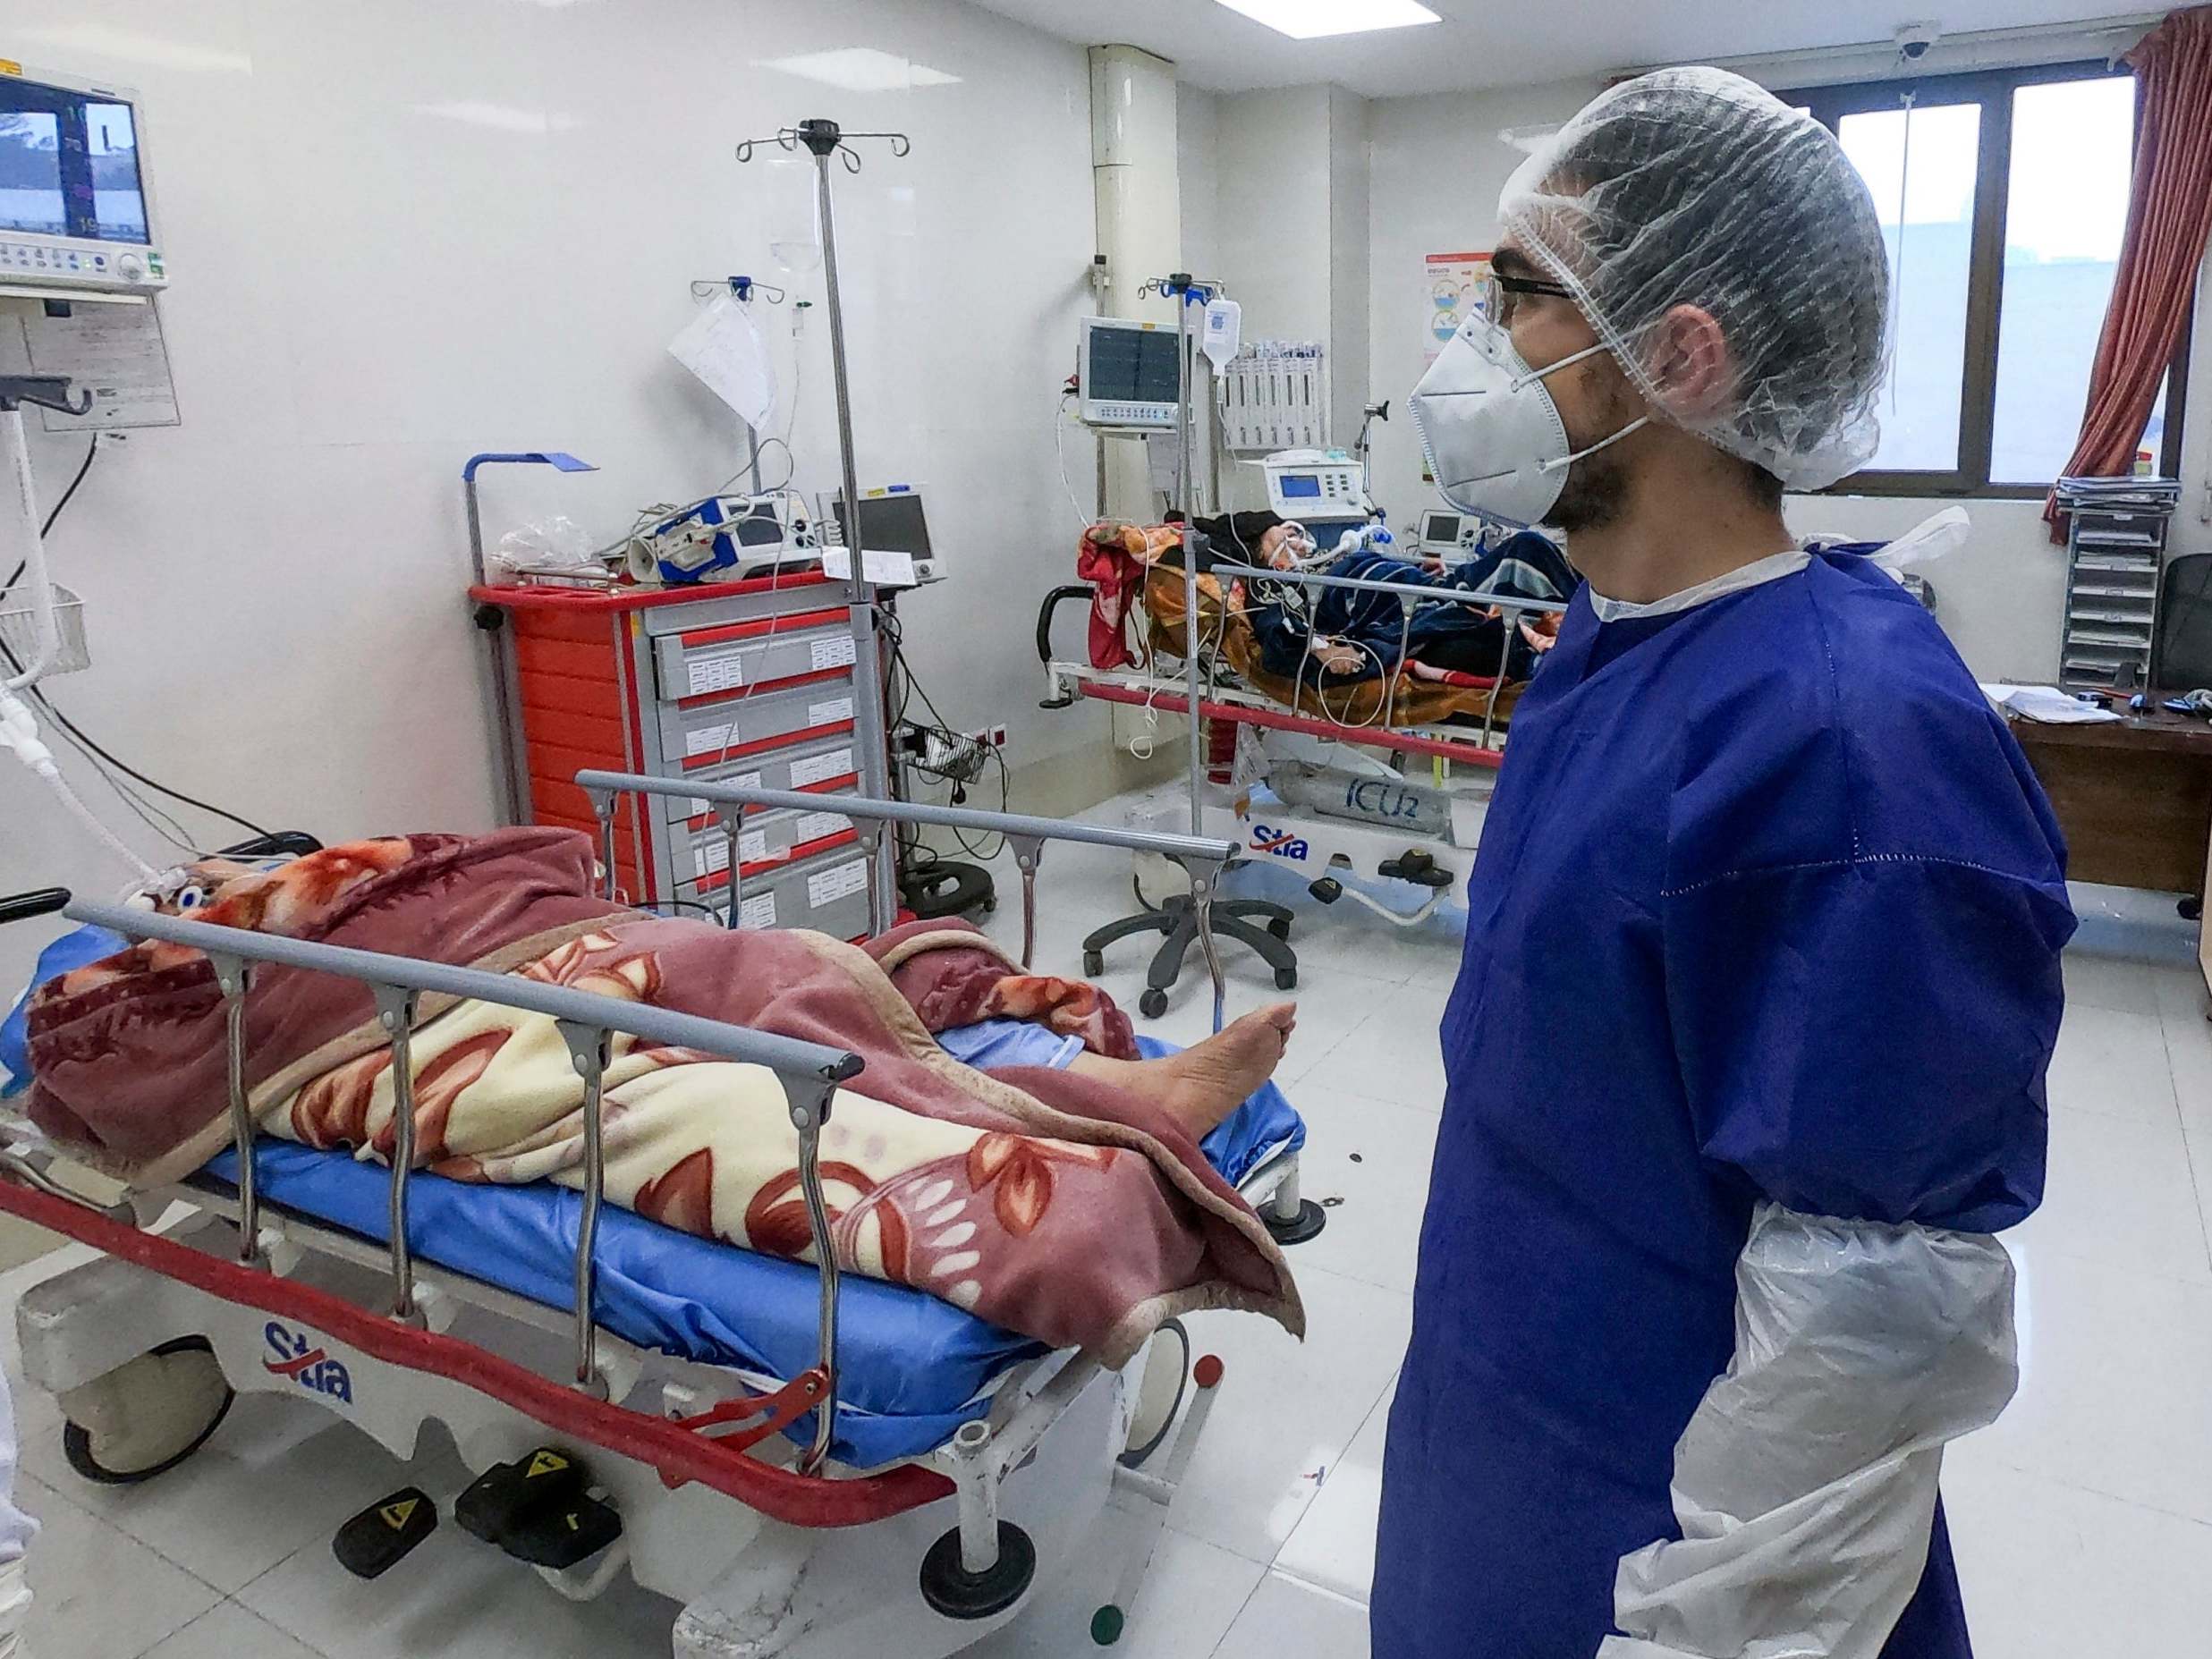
(806, 1070)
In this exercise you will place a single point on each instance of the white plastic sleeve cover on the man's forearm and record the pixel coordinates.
(1806, 1479)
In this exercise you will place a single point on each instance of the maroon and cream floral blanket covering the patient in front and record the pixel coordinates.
(1052, 1204)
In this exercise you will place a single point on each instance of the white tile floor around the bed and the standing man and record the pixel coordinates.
(2083, 1521)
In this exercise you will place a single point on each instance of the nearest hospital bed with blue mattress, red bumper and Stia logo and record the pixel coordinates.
(813, 1465)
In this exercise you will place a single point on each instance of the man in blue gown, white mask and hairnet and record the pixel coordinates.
(1746, 1056)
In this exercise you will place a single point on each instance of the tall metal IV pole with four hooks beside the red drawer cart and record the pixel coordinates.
(824, 140)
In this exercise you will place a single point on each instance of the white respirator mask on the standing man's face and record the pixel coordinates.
(1494, 439)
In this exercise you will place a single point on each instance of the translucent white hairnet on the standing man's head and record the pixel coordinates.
(1693, 187)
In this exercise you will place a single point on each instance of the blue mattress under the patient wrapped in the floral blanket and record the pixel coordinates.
(912, 1368)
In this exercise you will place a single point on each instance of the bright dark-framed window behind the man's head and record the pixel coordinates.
(2003, 202)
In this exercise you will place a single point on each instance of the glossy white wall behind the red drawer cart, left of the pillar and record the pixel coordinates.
(421, 229)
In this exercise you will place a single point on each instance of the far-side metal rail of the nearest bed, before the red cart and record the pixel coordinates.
(1202, 857)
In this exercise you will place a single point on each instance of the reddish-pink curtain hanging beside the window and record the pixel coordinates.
(2169, 222)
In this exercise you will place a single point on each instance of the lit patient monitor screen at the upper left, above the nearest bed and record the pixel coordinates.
(70, 165)
